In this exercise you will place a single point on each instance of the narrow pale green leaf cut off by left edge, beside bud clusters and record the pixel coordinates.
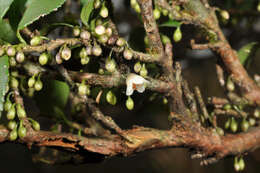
(4, 73)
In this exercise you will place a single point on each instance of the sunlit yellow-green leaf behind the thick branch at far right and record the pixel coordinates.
(246, 52)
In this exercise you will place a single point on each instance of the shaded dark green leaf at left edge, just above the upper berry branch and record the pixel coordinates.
(6, 32)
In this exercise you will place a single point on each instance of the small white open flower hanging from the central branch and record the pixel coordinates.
(135, 82)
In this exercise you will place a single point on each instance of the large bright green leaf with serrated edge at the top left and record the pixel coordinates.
(37, 9)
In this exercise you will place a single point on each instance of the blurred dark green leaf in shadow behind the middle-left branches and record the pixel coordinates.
(54, 93)
